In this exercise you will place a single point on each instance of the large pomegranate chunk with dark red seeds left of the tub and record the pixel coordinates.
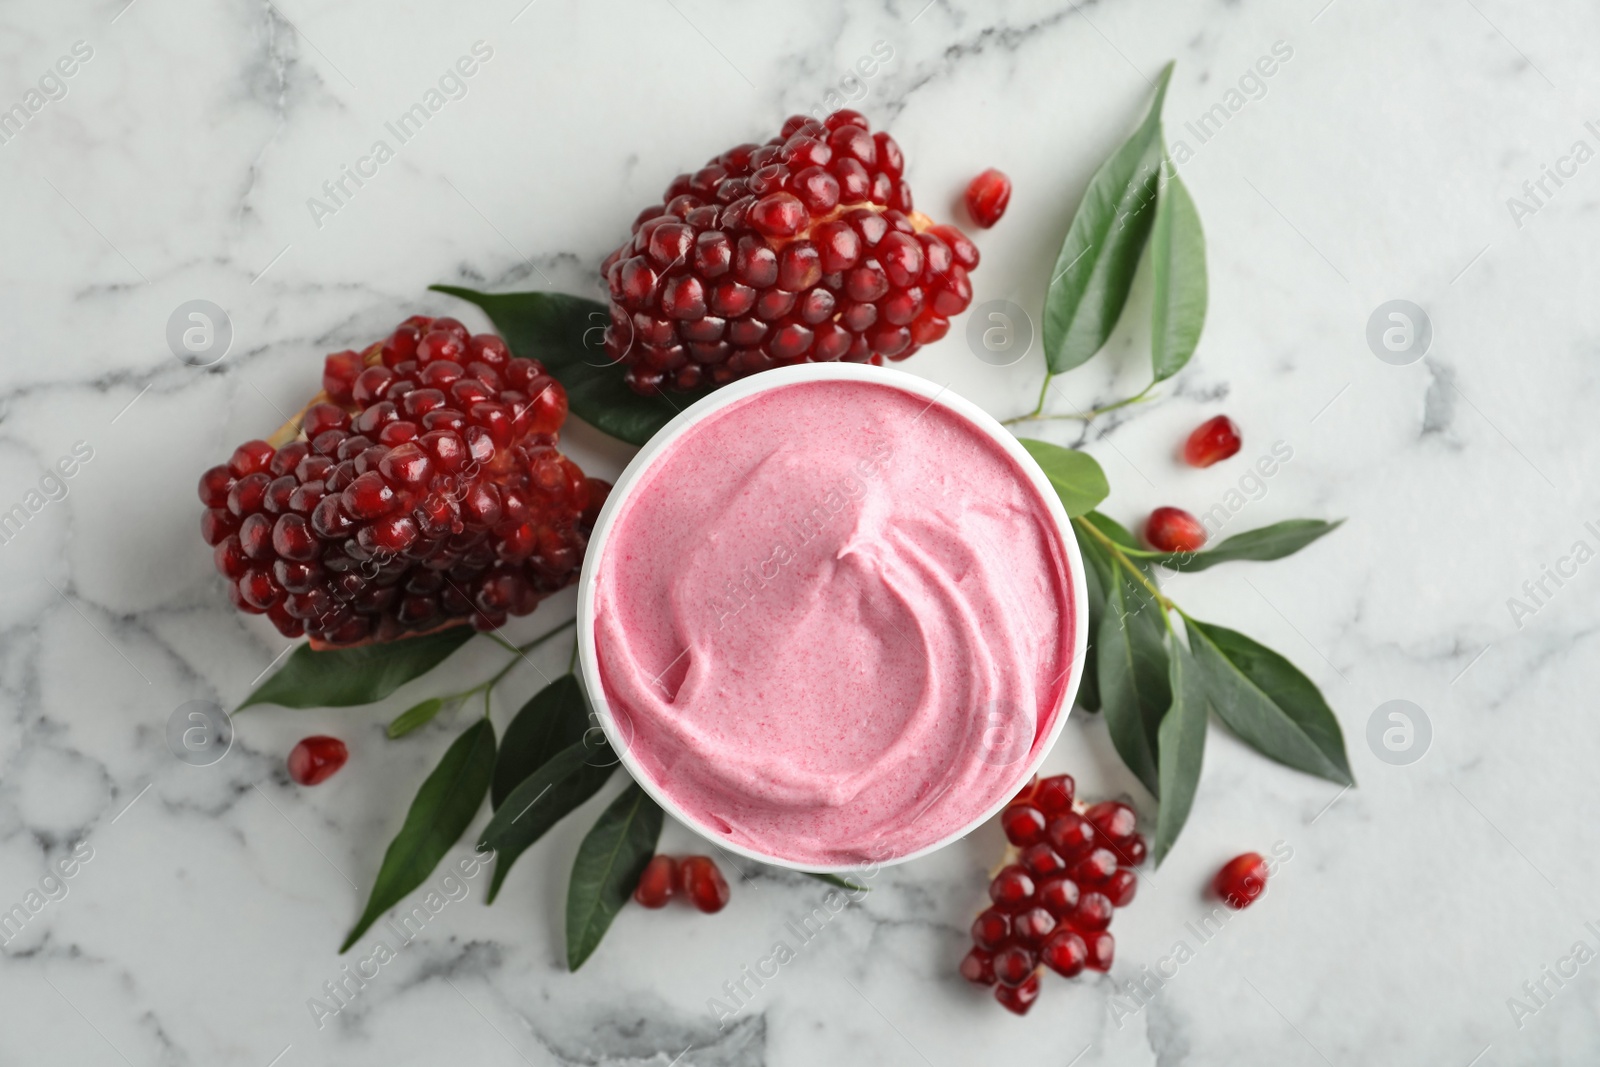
(425, 490)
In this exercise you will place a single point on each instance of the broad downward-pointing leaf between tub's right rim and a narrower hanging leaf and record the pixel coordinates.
(1134, 674)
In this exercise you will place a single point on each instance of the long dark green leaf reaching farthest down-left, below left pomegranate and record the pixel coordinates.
(439, 817)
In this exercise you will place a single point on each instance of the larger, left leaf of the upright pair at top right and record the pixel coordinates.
(1102, 252)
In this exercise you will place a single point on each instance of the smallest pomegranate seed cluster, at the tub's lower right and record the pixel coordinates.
(1066, 869)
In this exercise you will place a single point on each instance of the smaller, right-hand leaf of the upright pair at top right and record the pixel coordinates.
(1178, 258)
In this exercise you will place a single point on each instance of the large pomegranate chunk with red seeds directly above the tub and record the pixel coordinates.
(799, 250)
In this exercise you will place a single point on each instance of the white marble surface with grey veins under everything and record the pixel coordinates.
(1377, 166)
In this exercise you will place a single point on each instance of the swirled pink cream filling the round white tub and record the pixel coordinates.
(836, 620)
